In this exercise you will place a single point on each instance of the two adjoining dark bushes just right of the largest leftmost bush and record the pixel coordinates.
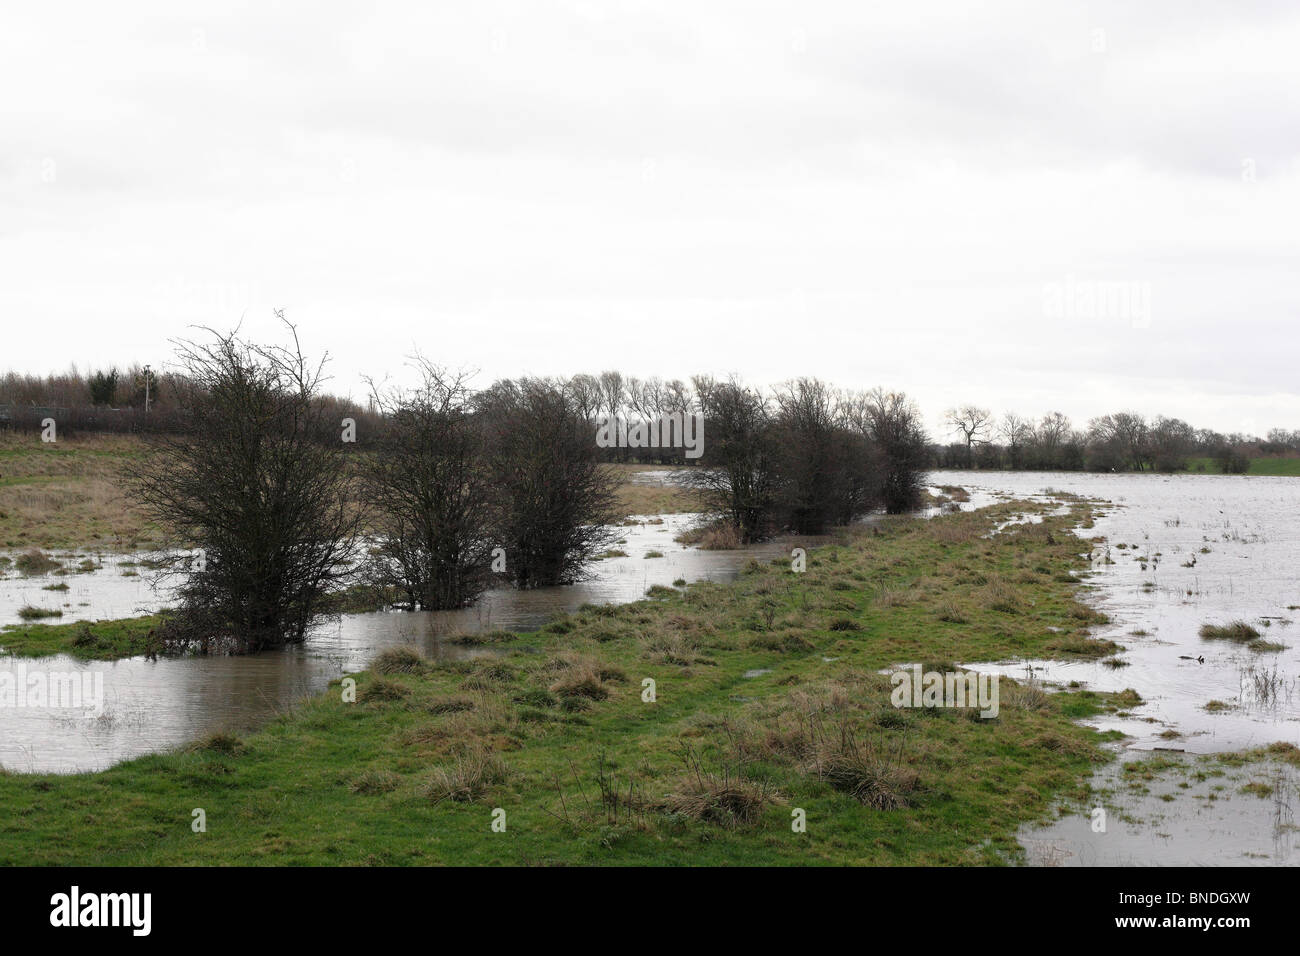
(467, 488)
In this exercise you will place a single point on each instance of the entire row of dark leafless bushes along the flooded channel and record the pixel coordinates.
(457, 490)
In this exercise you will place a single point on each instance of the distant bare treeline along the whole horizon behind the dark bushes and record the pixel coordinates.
(114, 400)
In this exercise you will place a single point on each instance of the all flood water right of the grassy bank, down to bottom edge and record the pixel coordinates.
(1198, 550)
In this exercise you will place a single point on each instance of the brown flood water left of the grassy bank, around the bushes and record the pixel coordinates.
(158, 706)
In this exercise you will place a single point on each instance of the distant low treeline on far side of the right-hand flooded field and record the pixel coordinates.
(1121, 442)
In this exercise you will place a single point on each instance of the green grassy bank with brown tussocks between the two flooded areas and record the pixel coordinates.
(769, 702)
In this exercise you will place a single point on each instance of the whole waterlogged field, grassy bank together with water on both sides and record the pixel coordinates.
(772, 703)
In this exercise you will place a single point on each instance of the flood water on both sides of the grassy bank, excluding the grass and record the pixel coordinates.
(1168, 556)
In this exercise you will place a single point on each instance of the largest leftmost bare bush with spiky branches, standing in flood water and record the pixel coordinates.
(259, 485)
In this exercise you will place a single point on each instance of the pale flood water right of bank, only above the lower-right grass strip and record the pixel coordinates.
(1185, 551)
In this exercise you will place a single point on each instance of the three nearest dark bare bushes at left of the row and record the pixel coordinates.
(454, 490)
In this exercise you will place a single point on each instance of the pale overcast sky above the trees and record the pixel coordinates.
(1077, 207)
